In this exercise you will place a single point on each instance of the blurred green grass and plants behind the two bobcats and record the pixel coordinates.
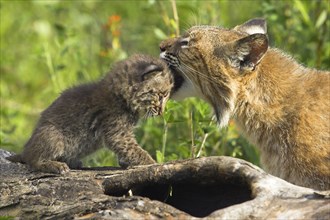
(50, 45)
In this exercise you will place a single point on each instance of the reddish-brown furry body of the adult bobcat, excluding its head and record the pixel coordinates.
(284, 109)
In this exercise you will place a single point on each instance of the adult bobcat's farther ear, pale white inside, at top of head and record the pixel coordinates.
(253, 26)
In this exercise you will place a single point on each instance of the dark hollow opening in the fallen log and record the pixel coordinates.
(195, 198)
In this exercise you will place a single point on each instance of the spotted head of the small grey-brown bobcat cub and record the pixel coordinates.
(144, 82)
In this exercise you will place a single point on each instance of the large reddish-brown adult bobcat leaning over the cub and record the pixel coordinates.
(281, 106)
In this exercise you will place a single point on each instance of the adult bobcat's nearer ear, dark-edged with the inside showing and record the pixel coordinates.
(247, 52)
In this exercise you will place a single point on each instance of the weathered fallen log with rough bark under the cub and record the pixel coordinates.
(209, 187)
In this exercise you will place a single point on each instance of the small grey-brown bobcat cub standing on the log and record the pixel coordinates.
(84, 117)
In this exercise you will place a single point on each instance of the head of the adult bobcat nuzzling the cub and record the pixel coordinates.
(210, 62)
